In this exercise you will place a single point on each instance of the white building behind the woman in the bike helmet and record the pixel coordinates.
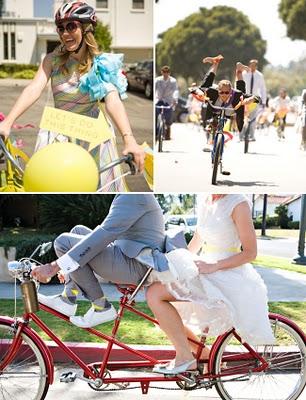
(25, 39)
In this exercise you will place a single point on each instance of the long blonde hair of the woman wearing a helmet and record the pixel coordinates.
(92, 50)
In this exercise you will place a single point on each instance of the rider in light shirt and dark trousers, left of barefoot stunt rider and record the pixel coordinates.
(166, 92)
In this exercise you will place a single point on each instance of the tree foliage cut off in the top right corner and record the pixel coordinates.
(293, 14)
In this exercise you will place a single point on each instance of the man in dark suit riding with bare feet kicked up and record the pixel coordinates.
(224, 94)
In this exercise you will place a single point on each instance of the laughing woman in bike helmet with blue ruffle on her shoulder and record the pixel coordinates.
(80, 77)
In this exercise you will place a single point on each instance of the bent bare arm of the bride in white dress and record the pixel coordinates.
(243, 221)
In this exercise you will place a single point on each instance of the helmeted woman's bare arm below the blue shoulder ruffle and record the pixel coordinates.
(115, 109)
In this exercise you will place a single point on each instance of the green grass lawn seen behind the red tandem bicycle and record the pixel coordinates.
(134, 329)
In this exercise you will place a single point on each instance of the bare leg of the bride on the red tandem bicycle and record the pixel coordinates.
(158, 299)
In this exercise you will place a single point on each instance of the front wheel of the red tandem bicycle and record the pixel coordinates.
(25, 377)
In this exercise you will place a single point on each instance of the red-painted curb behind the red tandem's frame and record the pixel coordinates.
(93, 352)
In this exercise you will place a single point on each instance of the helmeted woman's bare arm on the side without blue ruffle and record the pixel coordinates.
(29, 95)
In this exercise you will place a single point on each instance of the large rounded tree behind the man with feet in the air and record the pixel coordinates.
(208, 32)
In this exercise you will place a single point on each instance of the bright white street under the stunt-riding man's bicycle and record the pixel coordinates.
(269, 167)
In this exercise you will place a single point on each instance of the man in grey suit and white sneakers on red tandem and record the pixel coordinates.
(134, 222)
